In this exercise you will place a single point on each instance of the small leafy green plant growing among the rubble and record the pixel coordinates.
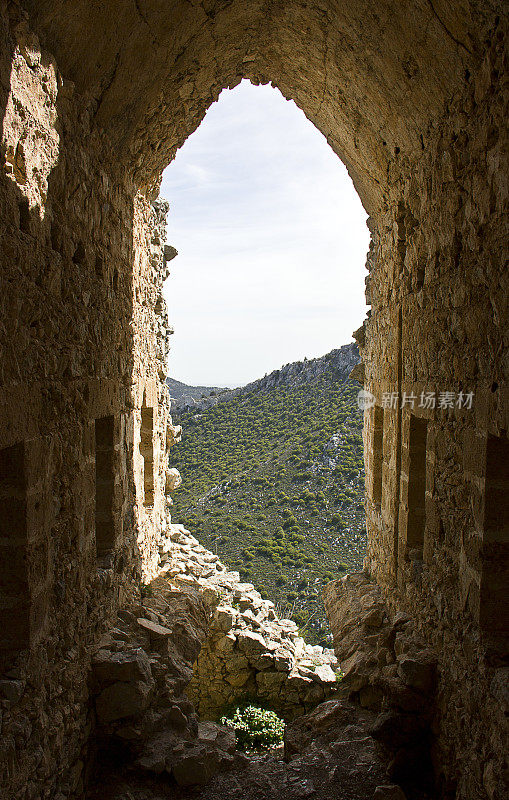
(255, 728)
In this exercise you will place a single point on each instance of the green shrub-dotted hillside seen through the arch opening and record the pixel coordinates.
(273, 481)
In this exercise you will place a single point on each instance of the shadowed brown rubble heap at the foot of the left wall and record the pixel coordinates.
(139, 672)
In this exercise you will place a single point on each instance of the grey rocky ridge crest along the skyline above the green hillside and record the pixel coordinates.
(338, 362)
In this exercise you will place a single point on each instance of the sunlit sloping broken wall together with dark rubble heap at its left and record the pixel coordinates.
(143, 682)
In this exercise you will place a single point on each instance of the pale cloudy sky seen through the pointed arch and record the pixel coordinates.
(271, 238)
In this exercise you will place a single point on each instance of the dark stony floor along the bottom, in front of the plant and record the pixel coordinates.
(328, 755)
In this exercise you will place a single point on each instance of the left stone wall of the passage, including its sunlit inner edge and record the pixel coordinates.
(82, 257)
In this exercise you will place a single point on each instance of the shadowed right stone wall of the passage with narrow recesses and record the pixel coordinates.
(439, 323)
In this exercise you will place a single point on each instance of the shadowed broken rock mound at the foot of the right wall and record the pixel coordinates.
(387, 668)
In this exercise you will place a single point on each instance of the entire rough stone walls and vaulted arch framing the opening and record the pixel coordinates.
(95, 100)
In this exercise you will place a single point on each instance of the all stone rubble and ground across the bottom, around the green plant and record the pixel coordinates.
(201, 639)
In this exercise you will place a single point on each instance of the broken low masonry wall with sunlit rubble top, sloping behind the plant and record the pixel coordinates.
(249, 652)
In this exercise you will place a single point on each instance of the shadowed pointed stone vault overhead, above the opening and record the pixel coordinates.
(371, 77)
